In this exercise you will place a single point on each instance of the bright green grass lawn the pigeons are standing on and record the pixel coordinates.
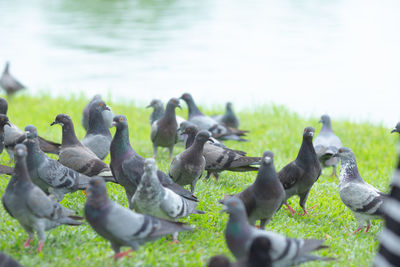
(271, 128)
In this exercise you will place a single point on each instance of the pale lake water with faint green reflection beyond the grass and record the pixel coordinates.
(315, 57)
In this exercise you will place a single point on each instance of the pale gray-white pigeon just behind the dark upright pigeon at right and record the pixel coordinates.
(327, 144)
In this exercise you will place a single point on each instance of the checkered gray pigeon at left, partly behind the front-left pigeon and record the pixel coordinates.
(47, 173)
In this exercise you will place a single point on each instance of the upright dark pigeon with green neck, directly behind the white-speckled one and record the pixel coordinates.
(127, 166)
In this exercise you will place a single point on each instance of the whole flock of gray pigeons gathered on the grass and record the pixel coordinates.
(159, 199)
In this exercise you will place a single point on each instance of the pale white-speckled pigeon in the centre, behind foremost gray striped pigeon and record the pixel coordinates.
(153, 199)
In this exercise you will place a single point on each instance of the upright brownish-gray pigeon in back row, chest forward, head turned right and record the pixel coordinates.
(163, 131)
